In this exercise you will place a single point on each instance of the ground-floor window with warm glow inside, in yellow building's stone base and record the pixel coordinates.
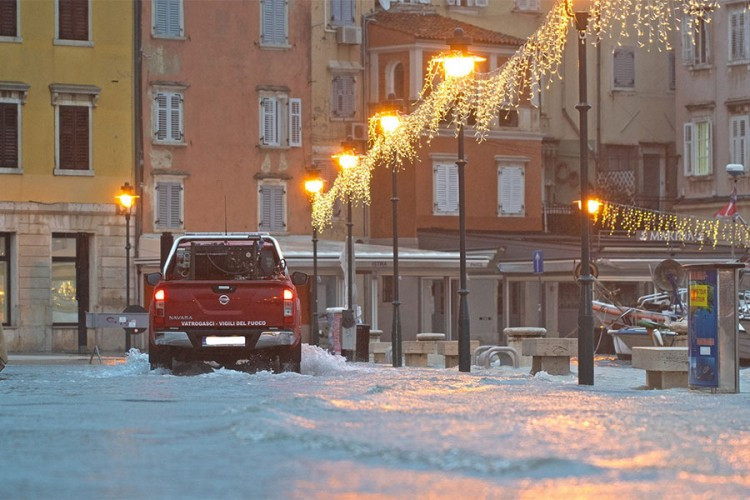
(64, 279)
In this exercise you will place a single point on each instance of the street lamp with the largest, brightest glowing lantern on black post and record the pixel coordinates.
(460, 64)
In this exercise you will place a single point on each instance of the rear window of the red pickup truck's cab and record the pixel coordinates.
(219, 261)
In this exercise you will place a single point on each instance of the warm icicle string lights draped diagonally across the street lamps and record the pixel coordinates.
(451, 102)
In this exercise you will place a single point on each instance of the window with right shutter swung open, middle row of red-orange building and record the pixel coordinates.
(280, 121)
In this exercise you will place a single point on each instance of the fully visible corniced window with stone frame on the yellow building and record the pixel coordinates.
(73, 120)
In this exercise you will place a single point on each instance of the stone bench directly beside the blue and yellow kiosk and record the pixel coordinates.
(666, 367)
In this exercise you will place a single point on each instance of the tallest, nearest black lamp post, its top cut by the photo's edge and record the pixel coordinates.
(585, 307)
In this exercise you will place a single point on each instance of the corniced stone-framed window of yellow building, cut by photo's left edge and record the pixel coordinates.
(12, 96)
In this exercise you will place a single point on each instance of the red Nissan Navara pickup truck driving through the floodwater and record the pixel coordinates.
(228, 299)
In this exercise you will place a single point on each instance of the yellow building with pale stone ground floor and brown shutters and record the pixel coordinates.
(67, 133)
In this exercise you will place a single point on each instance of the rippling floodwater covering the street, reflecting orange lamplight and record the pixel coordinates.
(349, 429)
